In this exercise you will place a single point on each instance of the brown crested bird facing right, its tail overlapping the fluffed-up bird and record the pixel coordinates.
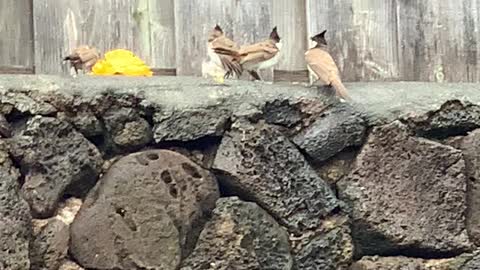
(257, 56)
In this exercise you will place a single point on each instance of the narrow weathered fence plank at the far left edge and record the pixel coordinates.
(16, 37)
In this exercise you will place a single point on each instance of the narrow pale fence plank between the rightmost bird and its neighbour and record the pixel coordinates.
(289, 17)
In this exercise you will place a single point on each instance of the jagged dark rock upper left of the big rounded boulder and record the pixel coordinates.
(53, 156)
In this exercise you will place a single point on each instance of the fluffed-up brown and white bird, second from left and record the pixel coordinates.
(220, 64)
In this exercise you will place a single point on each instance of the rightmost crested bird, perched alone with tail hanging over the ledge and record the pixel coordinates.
(321, 64)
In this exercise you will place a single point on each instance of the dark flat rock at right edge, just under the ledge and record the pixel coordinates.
(452, 118)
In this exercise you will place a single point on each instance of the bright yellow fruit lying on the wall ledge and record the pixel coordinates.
(121, 62)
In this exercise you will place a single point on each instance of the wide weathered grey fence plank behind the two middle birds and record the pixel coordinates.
(245, 21)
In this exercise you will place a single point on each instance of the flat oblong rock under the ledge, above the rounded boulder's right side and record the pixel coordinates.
(189, 125)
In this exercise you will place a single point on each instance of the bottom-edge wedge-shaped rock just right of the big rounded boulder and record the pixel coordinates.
(240, 236)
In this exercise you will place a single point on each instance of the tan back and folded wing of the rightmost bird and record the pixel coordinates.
(322, 64)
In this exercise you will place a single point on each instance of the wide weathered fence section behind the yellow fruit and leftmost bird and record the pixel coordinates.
(142, 26)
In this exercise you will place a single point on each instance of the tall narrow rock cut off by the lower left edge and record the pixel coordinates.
(15, 230)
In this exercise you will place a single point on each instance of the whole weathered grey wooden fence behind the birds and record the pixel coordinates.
(371, 40)
